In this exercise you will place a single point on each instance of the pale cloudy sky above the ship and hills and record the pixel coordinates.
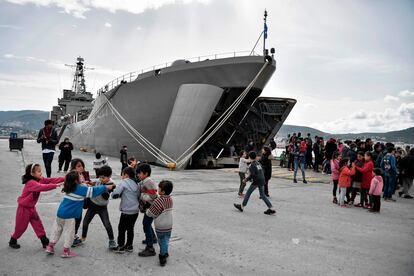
(350, 64)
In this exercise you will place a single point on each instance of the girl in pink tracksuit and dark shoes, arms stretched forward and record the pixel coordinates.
(26, 211)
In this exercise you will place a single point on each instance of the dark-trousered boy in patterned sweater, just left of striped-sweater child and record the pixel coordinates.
(147, 197)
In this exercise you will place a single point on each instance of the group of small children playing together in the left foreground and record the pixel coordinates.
(137, 193)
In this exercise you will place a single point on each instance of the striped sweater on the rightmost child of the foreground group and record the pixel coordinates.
(161, 211)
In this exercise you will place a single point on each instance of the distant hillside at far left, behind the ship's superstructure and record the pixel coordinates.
(23, 119)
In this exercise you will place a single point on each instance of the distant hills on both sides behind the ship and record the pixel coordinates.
(33, 120)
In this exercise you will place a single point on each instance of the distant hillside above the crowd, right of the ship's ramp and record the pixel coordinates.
(403, 136)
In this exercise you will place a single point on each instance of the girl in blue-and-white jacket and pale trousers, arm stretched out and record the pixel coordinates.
(69, 209)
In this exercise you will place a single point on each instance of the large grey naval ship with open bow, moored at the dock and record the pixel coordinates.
(189, 113)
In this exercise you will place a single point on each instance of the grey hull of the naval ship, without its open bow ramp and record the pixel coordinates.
(158, 103)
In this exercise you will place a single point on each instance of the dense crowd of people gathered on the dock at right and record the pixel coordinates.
(356, 167)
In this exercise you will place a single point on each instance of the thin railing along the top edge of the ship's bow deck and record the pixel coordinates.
(133, 75)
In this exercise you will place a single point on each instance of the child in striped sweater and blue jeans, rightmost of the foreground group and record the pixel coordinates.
(161, 211)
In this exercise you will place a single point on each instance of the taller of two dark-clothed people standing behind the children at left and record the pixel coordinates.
(48, 137)
